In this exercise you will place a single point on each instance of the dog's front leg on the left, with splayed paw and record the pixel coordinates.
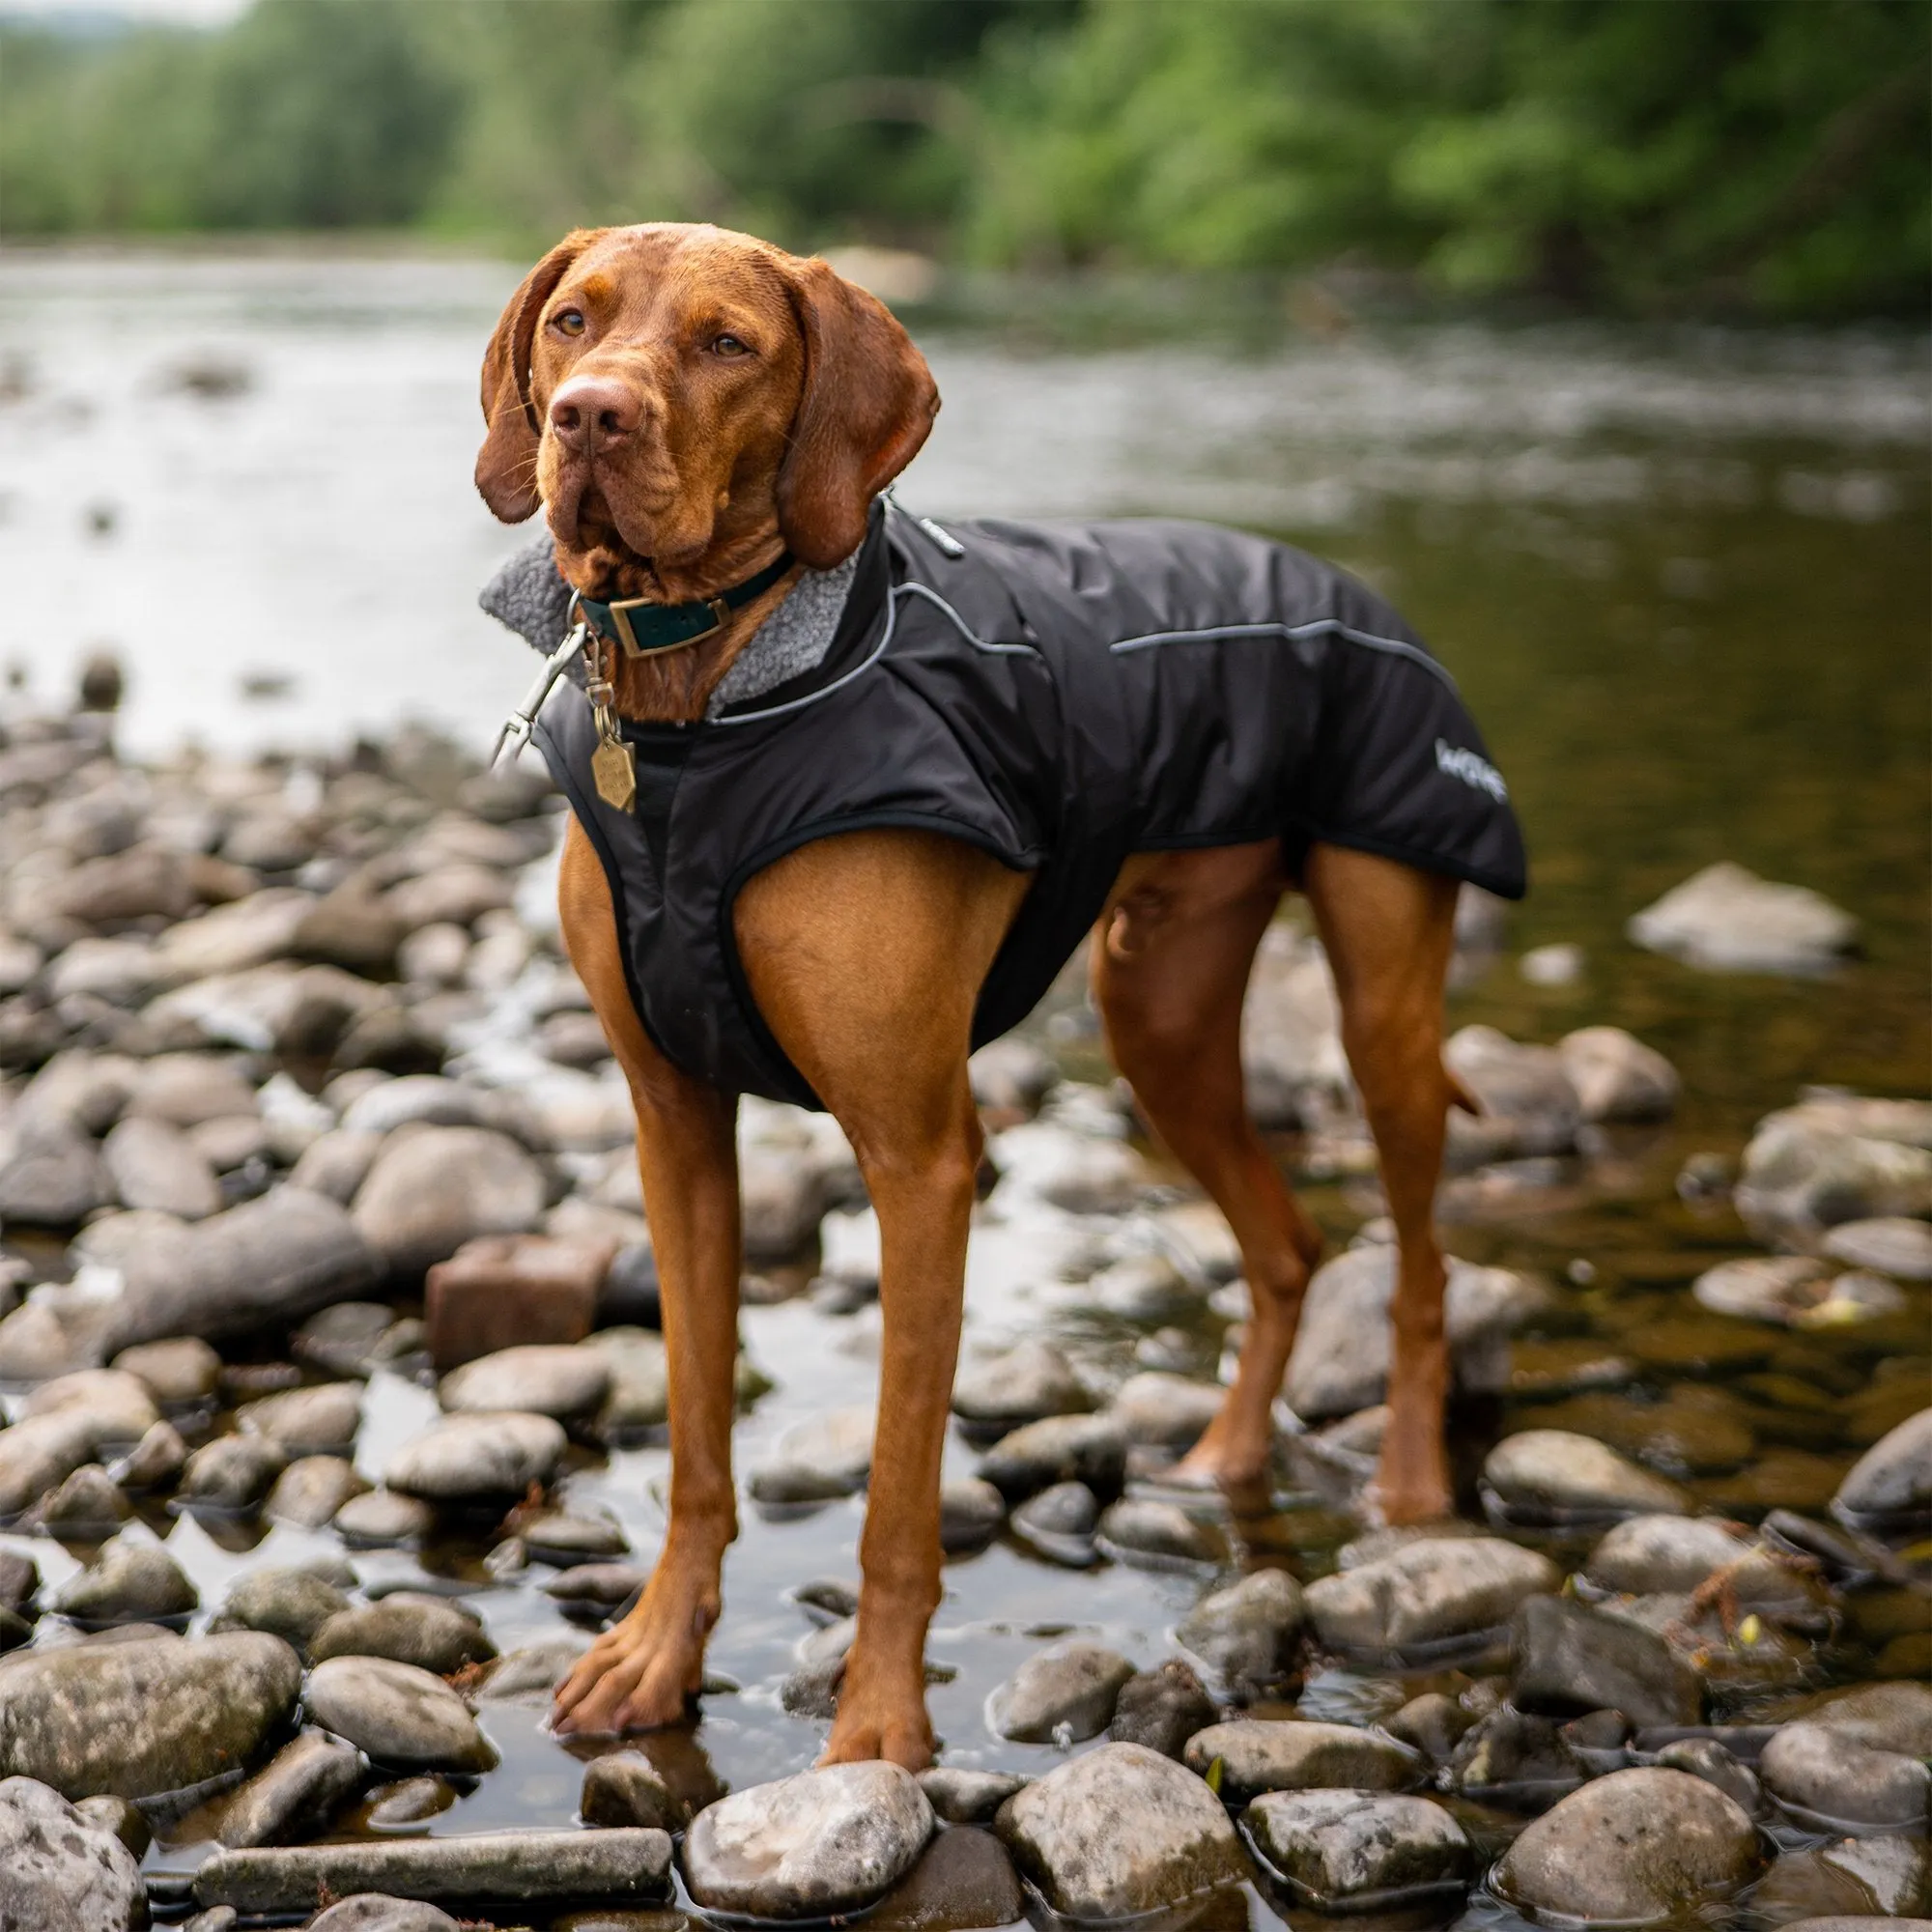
(644, 1670)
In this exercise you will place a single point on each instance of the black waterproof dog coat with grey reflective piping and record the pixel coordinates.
(1060, 696)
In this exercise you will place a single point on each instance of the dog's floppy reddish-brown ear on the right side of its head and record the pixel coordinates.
(867, 409)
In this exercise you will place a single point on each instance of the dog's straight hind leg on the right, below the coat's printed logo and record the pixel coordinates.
(1390, 930)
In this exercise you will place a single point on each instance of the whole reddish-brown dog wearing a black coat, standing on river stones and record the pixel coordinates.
(708, 426)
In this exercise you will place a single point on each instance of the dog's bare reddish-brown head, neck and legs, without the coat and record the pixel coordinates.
(687, 407)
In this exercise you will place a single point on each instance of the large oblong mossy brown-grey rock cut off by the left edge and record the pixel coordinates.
(146, 1717)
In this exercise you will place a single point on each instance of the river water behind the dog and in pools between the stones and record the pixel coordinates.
(1682, 581)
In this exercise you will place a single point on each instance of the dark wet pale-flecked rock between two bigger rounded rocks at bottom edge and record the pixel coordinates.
(1344, 1848)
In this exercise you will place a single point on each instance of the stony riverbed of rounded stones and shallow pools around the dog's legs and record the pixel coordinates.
(281, 1606)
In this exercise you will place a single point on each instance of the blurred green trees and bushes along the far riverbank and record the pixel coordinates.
(1637, 154)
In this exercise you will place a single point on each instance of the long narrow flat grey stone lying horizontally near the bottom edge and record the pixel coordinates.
(482, 1869)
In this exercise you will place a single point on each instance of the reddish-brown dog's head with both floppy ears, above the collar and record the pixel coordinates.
(669, 395)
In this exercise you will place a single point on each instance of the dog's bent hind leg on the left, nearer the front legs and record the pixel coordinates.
(1170, 971)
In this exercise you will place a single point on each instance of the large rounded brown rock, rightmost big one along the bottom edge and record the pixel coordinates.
(1632, 1848)
